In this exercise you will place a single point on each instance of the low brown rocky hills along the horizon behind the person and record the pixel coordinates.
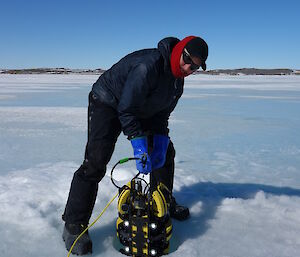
(242, 71)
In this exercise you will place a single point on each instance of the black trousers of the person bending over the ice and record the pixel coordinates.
(103, 130)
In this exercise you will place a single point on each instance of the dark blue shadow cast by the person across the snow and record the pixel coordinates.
(210, 195)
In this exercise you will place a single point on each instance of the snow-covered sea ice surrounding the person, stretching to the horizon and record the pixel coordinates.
(237, 140)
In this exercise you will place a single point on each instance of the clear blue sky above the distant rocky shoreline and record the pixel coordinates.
(96, 34)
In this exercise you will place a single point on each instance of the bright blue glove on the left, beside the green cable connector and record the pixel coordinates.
(140, 150)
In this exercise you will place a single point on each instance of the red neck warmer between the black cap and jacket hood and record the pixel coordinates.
(175, 56)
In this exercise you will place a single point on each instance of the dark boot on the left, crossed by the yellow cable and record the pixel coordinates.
(83, 245)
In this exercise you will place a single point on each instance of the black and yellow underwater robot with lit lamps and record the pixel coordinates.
(144, 226)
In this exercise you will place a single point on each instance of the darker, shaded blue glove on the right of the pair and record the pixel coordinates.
(160, 147)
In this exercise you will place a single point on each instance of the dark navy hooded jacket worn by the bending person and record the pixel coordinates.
(142, 88)
